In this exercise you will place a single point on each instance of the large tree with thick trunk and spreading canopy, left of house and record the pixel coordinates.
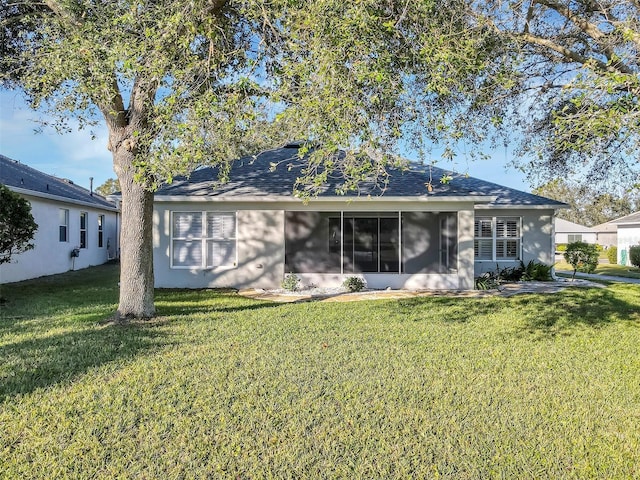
(188, 82)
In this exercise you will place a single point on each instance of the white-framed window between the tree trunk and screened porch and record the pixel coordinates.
(203, 239)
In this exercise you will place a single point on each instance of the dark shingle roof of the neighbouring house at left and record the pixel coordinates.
(17, 175)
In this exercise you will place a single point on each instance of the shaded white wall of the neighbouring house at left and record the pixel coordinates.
(51, 256)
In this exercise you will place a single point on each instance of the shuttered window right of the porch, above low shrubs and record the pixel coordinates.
(497, 238)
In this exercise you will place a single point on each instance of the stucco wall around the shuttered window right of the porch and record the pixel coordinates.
(537, 237)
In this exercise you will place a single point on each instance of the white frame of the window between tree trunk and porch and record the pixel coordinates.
(204, 238)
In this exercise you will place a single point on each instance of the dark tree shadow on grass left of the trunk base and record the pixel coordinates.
(49, 360)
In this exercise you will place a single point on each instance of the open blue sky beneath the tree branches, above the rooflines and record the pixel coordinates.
(77, 156)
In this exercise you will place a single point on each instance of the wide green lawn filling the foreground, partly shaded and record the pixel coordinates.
(221, 386)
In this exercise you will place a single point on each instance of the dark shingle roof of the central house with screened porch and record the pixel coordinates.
(251, 177)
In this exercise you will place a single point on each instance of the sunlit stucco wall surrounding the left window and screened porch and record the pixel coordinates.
(261, 252)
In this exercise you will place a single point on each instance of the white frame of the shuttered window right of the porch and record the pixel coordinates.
(497, 239)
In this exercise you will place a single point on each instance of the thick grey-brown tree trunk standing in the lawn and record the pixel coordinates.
(136, 238)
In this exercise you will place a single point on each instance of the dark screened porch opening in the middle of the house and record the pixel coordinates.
(366, 242)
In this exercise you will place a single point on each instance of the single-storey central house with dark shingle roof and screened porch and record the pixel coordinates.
(251, 231)
